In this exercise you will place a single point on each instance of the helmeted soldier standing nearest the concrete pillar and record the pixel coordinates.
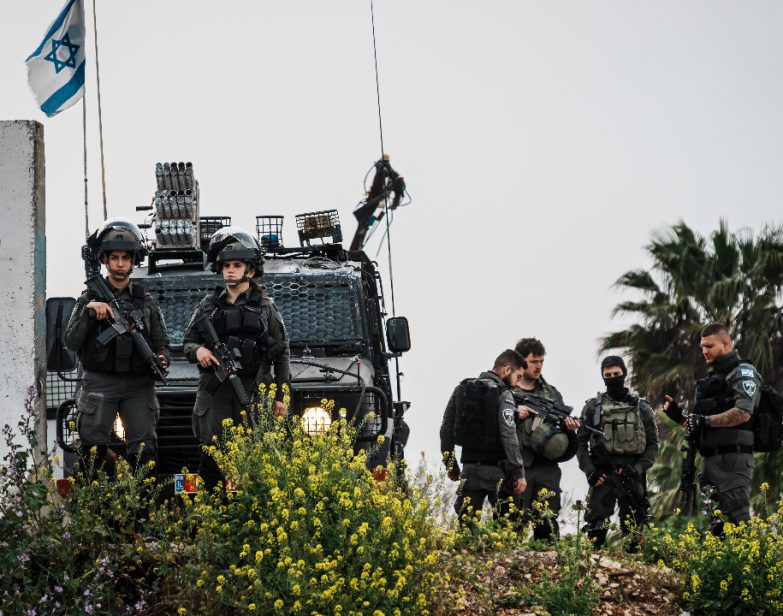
(116, 379)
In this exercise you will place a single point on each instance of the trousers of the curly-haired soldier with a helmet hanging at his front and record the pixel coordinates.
(542, 476)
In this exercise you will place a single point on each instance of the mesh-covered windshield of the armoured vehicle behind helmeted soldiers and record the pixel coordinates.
(319, 307)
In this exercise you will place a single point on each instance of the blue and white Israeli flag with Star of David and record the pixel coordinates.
(55, 70)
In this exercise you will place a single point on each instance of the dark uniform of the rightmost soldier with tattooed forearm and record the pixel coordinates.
(728, 452)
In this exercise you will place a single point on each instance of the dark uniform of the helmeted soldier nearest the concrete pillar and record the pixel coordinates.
(117, 381)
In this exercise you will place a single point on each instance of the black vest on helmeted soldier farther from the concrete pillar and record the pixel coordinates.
(241, 328)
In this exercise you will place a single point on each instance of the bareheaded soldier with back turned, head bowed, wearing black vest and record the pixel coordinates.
(480, 418)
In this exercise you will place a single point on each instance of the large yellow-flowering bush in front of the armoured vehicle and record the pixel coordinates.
(308, 531)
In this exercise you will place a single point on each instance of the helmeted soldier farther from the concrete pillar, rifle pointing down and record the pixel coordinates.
(250, 324)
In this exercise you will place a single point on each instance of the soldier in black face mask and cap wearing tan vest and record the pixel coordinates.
(616, 464)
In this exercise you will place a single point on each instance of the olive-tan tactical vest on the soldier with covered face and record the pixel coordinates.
(622, 424)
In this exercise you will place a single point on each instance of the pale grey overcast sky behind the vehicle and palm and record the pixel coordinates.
(542, 143)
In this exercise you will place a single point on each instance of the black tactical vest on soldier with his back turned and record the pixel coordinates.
(476, 426)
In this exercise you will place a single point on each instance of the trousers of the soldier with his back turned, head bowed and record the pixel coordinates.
(479, 482)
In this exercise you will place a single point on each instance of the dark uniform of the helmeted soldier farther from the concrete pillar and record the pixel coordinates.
(212, 408)
